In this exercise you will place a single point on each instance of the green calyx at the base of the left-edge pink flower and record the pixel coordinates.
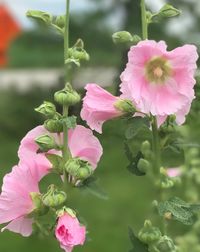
(39, 207)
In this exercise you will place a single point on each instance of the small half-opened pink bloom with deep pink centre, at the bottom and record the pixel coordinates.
(69, 232)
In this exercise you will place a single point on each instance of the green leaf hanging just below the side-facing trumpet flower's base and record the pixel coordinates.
(135, 124)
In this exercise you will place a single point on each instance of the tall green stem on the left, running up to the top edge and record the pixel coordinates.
(66, 55)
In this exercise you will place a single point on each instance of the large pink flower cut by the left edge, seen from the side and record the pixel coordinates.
(15, 199)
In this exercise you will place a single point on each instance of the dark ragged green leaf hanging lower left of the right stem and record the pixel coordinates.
(133, 165)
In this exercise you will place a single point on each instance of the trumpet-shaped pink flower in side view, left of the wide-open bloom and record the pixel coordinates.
(98, 107)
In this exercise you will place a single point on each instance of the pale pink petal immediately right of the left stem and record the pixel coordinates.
(83, 144)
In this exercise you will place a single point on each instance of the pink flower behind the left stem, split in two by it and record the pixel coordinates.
(81, 142)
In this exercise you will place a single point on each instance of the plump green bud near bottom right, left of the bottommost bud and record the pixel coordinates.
(149, 234)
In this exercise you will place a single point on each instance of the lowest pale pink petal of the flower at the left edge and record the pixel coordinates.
(21, 225)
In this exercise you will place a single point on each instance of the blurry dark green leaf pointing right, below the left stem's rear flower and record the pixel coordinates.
(90, 185)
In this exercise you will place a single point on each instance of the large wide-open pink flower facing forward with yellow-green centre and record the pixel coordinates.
(160, 82)
